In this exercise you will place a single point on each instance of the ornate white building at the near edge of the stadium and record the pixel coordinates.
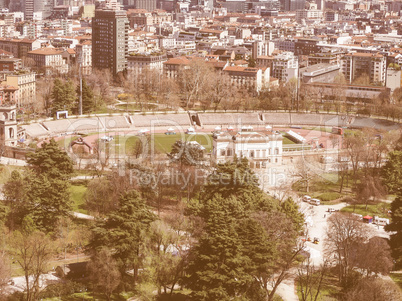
(262, 149)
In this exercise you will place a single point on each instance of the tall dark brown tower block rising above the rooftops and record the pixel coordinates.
(110, 40)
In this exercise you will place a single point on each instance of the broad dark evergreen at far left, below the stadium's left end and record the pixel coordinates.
(42, 194)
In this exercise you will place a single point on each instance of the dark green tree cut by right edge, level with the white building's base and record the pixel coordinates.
(392, 171)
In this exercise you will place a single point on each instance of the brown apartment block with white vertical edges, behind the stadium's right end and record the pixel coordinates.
(354, 65)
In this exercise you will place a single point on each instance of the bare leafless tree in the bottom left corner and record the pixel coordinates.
(32, 252)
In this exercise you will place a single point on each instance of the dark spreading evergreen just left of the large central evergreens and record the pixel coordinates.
(124, 230)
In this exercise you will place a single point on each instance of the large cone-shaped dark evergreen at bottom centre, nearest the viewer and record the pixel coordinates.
(216, 268)
